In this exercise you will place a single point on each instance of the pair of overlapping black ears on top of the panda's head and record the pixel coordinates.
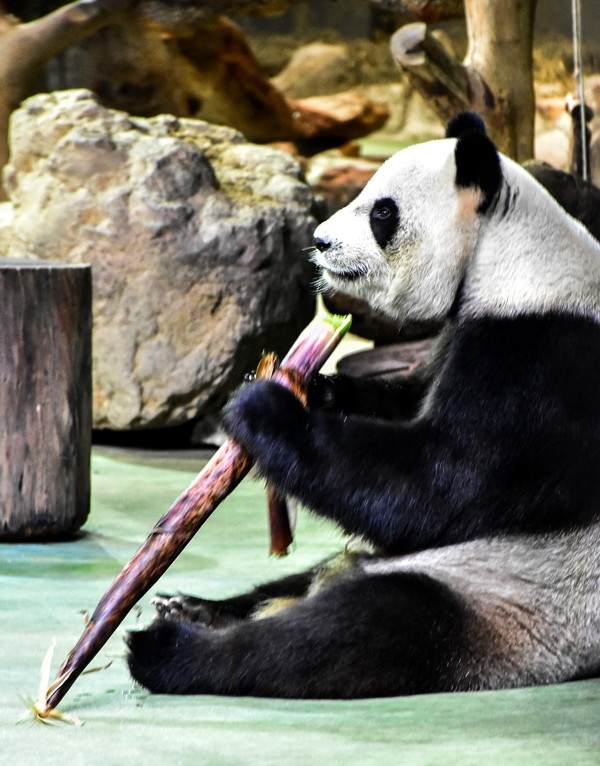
(477, 159)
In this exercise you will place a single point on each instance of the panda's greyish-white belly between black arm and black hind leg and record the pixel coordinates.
(534, 601)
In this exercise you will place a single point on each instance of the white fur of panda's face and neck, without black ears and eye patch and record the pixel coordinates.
(510, 263)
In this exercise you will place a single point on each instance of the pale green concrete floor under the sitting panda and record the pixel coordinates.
(44, 587)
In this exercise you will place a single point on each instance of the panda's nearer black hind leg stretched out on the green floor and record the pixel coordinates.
(359, 636)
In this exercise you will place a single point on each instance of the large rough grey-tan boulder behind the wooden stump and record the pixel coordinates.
(196, 242)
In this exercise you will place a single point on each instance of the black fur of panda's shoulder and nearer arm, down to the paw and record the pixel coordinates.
(528, 387)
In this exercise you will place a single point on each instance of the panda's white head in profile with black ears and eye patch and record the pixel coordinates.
(404, 243)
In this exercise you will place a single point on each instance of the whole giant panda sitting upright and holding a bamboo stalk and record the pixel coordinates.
(475, 481)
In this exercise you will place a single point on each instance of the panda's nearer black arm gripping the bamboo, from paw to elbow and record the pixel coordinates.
(391, 483)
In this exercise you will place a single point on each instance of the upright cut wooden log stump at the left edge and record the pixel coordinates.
(45, 399)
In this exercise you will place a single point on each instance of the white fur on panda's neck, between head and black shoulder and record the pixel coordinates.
(521, 266)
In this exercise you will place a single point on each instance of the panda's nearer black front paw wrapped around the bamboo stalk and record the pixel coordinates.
(266, 419)
